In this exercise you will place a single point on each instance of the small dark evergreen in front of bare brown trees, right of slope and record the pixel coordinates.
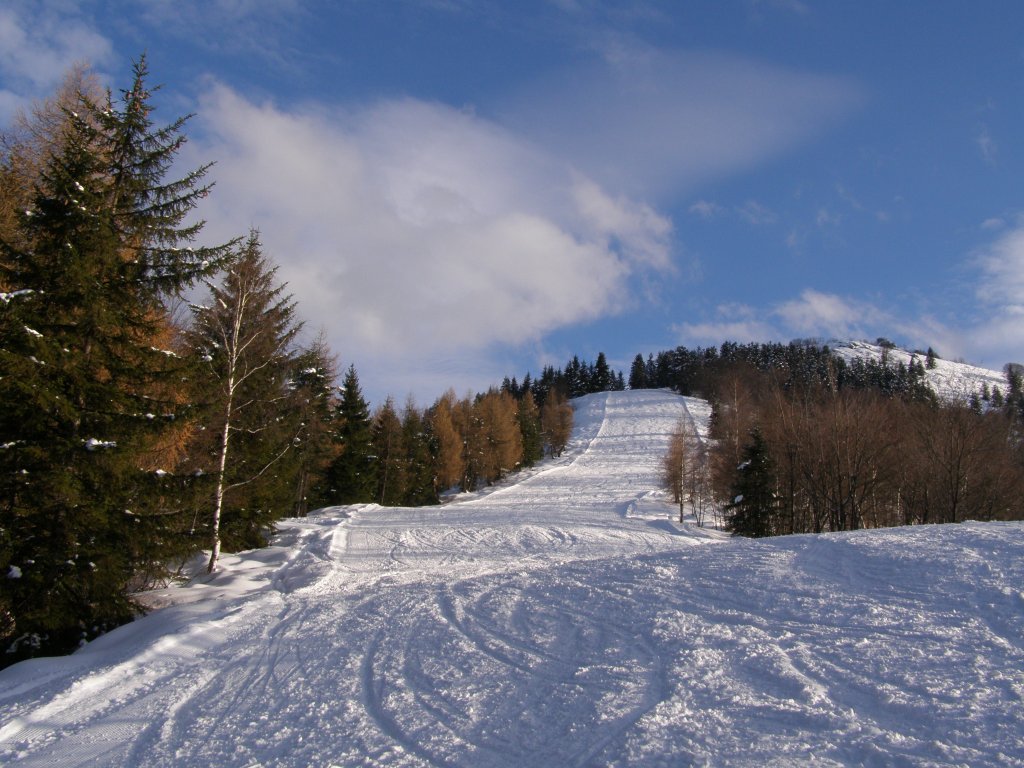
(755, 503)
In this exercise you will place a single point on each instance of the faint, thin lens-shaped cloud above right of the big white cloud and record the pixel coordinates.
(661, 122)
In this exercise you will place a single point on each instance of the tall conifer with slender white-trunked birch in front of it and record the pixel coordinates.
(244, 335)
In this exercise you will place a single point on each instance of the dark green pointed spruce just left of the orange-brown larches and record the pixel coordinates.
(353, 476)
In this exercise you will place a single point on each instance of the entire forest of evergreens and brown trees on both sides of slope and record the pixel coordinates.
(140, 428)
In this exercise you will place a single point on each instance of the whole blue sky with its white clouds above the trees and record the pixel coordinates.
(460, 190)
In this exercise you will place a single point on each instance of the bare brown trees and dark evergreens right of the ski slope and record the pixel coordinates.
(802, 442)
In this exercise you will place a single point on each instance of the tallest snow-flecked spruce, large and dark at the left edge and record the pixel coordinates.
(87, 392)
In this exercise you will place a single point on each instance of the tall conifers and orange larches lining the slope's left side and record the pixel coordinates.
(139, 429)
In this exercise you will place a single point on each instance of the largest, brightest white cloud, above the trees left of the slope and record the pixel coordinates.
(416, 233)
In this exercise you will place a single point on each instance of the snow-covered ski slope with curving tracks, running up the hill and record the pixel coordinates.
(563, 621)
